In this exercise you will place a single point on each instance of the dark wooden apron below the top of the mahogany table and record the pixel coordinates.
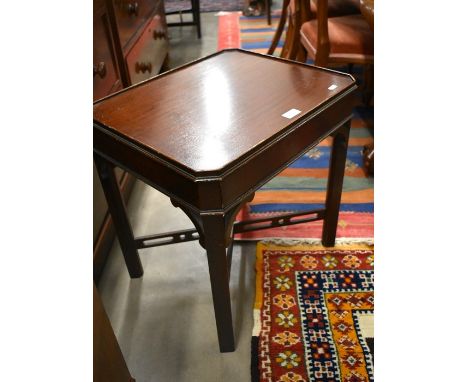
(221, 193)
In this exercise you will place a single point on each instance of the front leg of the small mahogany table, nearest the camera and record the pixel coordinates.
(214, 226)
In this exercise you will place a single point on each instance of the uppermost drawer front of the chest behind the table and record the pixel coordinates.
(131, 15)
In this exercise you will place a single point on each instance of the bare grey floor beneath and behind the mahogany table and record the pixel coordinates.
(164, 321)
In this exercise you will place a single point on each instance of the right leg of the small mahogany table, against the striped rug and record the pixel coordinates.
(335, 184)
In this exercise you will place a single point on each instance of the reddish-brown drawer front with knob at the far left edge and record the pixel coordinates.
(105, 72)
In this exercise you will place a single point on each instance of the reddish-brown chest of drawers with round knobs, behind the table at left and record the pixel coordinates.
(129, 45)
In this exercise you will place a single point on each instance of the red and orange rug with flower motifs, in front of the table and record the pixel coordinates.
(313, 313)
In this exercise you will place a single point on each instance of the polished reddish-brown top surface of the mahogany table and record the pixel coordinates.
(207, 115)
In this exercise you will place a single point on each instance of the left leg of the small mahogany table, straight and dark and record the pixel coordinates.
(119, 216)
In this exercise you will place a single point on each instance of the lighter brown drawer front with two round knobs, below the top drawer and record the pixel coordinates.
(147, 56)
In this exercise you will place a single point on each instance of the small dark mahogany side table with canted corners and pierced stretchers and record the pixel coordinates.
(208, 135)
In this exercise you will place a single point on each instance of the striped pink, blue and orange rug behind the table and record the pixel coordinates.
(302, 186)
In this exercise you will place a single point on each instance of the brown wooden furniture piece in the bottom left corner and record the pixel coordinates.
(108, 362)
